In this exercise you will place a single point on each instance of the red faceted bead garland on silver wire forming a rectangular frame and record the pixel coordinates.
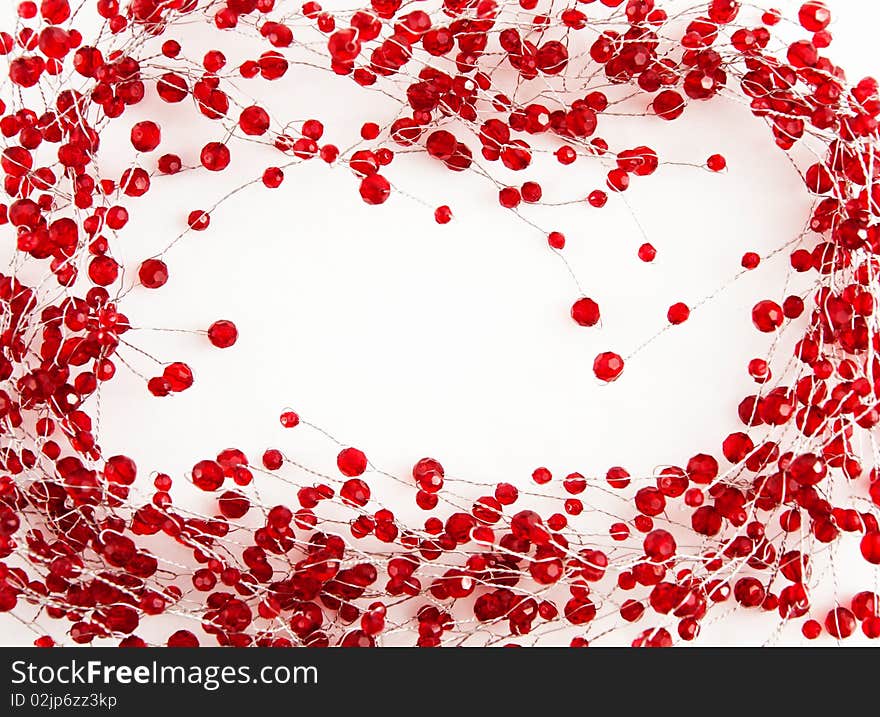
(733, 529)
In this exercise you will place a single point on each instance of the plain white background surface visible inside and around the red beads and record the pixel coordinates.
(408, 339)
